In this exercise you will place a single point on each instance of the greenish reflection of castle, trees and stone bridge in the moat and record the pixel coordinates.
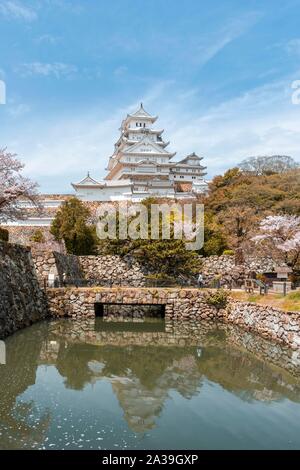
(145, 367)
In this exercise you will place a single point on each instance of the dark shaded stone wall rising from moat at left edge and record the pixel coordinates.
(22, 302)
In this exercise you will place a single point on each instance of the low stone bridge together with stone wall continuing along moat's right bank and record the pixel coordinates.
(176, 304)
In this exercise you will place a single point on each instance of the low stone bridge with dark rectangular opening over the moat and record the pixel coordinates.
(174, 303)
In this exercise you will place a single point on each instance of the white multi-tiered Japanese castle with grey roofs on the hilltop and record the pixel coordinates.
(141, 166)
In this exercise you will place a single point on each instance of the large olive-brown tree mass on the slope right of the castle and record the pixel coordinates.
(238, 201)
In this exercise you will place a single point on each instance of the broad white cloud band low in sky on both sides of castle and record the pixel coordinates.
(262, 121)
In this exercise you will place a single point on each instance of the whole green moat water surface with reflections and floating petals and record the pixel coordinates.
(96, 384)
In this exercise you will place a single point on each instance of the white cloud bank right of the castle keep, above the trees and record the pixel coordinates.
(262, 121)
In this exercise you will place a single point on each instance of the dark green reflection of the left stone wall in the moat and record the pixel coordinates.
(17, 431)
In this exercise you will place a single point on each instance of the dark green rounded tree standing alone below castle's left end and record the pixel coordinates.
(71, 224)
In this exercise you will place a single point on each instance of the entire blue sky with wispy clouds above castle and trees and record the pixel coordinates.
(217, 73)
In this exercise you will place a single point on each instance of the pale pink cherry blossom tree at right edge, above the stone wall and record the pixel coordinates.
(280, 234)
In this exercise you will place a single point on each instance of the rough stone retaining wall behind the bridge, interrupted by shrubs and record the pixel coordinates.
(127, 271)
